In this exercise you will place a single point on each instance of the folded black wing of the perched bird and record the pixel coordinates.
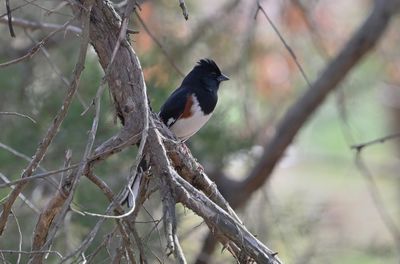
(173, 108)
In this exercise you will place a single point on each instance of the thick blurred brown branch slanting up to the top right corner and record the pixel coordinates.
(297, 115)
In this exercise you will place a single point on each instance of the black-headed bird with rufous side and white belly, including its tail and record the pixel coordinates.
(185, 111)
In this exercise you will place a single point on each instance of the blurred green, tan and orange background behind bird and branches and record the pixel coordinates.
(317, 206)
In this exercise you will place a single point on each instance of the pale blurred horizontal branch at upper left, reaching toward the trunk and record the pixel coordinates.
(35, 25)
